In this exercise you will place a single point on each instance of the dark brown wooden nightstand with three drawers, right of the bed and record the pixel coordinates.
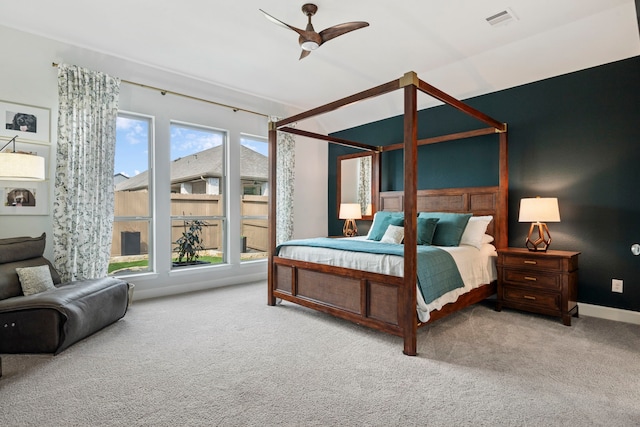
(539, 282)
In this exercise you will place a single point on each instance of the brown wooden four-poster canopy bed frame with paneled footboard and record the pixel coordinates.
(381, 301)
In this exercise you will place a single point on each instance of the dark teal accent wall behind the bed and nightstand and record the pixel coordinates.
(575, 137)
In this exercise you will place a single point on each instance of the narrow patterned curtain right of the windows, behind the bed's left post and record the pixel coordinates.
(285, 180)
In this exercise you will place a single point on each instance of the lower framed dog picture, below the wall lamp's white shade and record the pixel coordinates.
(24, 197)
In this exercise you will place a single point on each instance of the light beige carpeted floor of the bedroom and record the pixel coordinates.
(223, 357)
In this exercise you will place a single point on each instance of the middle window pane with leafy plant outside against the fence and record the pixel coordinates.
(198, 221)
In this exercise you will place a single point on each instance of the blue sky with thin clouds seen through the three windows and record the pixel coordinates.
(132, 136)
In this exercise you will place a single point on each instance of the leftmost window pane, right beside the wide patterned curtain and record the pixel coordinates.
(131, 245)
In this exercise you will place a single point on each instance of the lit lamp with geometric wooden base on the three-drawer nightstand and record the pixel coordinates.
(538, 211)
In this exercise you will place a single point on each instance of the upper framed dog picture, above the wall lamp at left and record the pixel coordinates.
(27, 122)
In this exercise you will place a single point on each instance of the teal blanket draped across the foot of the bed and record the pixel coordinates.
(437, 271)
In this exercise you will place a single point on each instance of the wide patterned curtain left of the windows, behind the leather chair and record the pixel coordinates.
(83, 194)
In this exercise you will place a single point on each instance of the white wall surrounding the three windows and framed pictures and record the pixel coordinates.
(27, 77)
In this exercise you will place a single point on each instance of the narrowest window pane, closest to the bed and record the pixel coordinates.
(254, 176)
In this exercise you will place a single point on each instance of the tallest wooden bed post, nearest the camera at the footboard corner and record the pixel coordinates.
(409, 299)
